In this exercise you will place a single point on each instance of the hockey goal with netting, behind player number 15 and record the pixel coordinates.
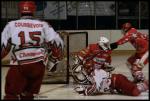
(73, 43)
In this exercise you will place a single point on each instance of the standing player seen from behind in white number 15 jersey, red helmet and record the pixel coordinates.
(27, 38)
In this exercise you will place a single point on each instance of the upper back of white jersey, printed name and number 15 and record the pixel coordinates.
(26, 31)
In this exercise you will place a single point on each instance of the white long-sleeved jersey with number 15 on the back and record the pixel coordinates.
(27, 37)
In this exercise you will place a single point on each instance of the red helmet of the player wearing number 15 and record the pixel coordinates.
(27, 7)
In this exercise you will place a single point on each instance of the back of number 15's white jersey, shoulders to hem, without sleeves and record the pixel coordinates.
(27, 38)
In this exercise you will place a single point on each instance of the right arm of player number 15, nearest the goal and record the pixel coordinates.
(54, 45)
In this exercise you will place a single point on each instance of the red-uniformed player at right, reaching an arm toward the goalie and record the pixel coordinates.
(137, 61)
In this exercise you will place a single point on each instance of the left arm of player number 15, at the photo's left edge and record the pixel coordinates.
(5, 42)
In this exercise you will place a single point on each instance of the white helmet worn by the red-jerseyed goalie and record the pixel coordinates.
(104, 43)
